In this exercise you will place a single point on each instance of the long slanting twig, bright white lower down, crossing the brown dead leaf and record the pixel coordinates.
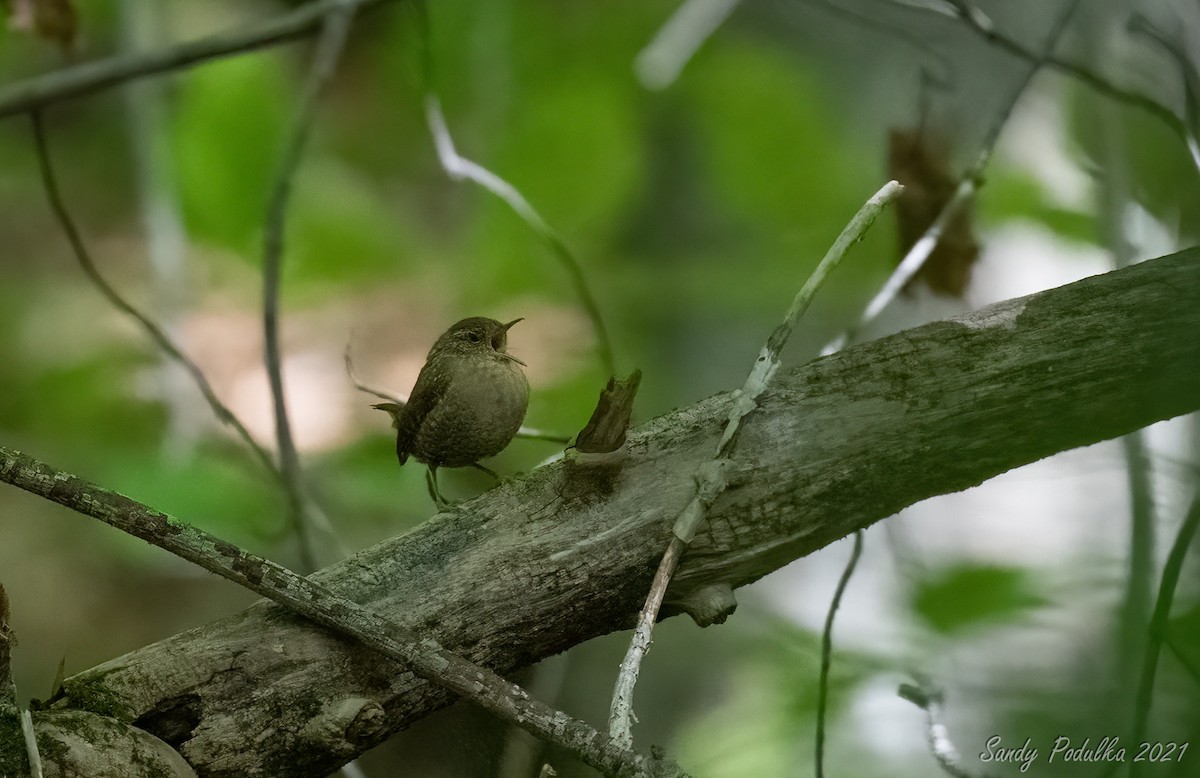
(969, 184)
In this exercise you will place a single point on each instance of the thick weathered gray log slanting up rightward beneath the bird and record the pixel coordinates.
(566, 554)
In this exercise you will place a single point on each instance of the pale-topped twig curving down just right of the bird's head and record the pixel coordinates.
(461, 169)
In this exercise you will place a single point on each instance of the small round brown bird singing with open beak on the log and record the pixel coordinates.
(469, 402)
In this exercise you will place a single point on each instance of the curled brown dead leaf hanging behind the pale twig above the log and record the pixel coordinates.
(920, 164)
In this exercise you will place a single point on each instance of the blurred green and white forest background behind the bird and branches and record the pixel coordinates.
(698, 193)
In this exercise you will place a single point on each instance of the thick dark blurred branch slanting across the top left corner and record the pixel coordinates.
(93, 77)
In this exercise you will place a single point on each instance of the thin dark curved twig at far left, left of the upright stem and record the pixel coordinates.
(157, 333)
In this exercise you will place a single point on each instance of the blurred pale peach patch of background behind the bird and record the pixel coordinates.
(389, 333)
